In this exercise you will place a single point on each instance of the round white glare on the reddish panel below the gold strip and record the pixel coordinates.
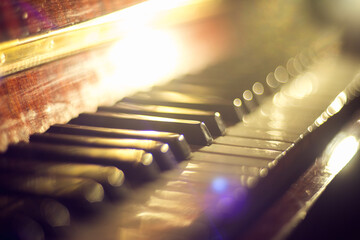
(141, 59)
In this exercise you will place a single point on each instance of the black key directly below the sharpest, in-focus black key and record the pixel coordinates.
(177, 142)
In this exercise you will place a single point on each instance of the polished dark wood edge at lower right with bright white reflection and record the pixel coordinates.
(292, 207)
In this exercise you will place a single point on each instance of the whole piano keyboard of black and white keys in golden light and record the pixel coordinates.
(197, 158)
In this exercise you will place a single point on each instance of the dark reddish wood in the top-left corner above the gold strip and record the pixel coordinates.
(21, 18)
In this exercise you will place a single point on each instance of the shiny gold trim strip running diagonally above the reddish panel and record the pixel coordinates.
(21, 54)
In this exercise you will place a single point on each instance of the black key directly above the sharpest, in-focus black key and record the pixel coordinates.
(212, 120)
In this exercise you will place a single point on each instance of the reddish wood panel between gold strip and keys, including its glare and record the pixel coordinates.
(34, 99)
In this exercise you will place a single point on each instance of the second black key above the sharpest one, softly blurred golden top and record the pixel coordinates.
(231, 111)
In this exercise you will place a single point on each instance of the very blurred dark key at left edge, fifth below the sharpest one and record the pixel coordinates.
(74, 192)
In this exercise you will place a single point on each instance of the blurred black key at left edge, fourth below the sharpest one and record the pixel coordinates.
(112, 179)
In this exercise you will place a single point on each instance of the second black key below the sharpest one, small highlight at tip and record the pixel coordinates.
(160, 151)
